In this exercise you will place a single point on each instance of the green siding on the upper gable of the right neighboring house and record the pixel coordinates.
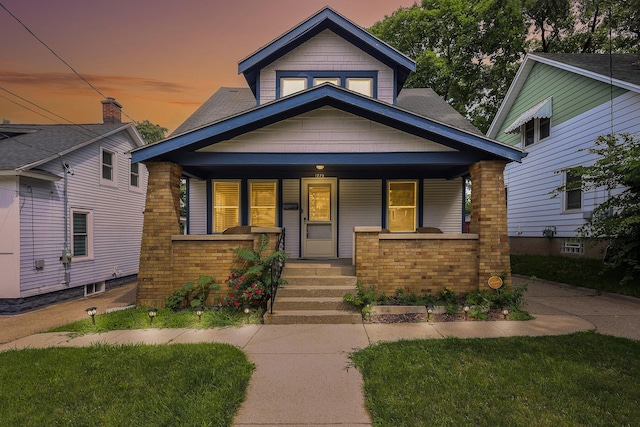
(573, 95)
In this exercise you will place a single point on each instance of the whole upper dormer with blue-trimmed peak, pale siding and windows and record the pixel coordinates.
(326, 49)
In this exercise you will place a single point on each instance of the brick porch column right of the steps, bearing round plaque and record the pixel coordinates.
(489, 221)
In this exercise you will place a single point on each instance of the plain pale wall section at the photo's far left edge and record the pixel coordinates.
(9, 237)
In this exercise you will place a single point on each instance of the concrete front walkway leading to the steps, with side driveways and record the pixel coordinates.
(302, 375)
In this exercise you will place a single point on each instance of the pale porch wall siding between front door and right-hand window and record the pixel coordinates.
(360, 204)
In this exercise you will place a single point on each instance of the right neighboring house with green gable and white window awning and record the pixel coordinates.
(557, 106)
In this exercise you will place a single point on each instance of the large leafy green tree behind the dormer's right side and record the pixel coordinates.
(466, 51)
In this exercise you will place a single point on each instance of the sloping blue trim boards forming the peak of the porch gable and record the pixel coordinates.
(316, 97)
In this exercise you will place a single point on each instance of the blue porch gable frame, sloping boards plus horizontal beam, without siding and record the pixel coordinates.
(467, 148)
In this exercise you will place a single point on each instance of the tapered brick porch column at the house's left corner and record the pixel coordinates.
(161, 221)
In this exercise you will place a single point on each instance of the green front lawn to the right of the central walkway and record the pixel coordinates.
(579, 379)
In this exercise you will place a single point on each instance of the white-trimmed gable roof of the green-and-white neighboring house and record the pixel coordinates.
(621, 70)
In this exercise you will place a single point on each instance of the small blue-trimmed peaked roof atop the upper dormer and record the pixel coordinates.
(326, 18)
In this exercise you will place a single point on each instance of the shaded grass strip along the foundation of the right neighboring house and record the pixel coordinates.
(585, 272)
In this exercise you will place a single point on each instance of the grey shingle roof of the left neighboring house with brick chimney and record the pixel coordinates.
(22, 145)
